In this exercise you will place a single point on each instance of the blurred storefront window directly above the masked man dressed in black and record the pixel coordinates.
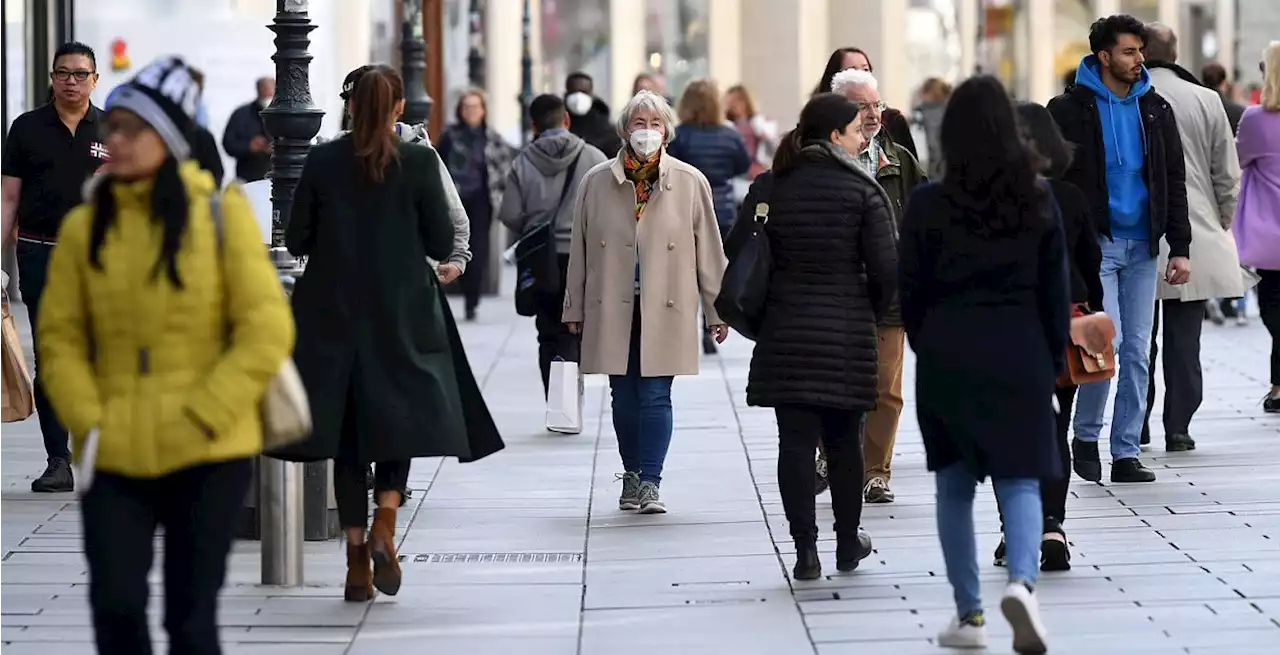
(575, 38)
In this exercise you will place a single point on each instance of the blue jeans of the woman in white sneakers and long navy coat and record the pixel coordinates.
(1021, 503)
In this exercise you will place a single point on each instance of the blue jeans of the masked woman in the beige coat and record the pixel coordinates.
(642, 415)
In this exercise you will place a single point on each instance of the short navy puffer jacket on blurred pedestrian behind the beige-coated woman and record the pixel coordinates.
(720, 154)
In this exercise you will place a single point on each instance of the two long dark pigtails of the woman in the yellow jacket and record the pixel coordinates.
(170, 207)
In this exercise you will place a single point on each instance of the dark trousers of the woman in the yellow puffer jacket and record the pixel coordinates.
(198, 509)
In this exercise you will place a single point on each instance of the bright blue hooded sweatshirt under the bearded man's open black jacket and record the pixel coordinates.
(1126, 143)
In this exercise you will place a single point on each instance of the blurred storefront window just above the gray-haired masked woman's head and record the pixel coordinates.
(676, 42)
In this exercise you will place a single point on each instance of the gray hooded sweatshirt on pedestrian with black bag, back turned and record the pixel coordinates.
(538, 177)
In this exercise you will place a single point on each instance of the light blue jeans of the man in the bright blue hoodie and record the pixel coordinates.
(1130, 297)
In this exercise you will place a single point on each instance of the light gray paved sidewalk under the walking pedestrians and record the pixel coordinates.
(527, 552)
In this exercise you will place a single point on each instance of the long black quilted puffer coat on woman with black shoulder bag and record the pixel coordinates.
(835, 273)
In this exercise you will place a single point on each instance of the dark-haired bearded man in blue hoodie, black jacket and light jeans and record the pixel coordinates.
(1130, 166)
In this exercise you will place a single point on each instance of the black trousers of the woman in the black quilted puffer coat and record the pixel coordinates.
(801, 429)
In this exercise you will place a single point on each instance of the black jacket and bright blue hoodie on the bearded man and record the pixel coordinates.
(1128, 159)
